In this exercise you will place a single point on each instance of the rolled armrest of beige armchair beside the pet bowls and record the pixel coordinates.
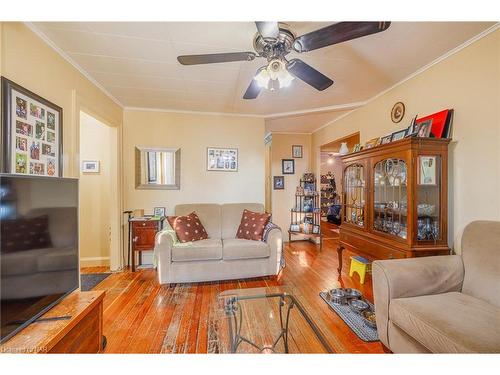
(400, 278)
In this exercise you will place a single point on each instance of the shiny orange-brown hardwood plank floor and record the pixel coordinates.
(141, 316)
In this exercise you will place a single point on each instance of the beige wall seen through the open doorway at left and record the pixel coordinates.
(95, 192)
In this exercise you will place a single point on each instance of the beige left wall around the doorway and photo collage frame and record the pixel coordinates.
(29, 61)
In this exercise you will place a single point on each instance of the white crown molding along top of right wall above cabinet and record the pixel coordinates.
(420, 71)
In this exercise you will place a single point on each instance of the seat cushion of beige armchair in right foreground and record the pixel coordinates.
(449, 322)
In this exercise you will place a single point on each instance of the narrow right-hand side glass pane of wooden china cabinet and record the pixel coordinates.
(428, 198)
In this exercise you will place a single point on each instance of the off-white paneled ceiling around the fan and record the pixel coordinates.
(136, 63)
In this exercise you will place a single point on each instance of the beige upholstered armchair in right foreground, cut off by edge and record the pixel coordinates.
(442, 304)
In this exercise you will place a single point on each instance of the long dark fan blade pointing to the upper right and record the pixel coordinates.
(337, 33)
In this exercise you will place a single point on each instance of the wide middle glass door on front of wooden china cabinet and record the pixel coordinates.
(390, 199)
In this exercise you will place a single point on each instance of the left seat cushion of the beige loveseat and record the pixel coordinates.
(209, 249)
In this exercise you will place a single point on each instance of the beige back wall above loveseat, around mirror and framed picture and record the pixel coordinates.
(193, 133)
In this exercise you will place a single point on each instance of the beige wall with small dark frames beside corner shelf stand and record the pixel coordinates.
(284, 200)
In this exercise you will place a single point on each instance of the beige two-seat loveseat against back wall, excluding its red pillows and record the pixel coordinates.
(222, 256)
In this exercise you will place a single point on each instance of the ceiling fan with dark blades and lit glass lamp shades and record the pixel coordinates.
(274, 41)
